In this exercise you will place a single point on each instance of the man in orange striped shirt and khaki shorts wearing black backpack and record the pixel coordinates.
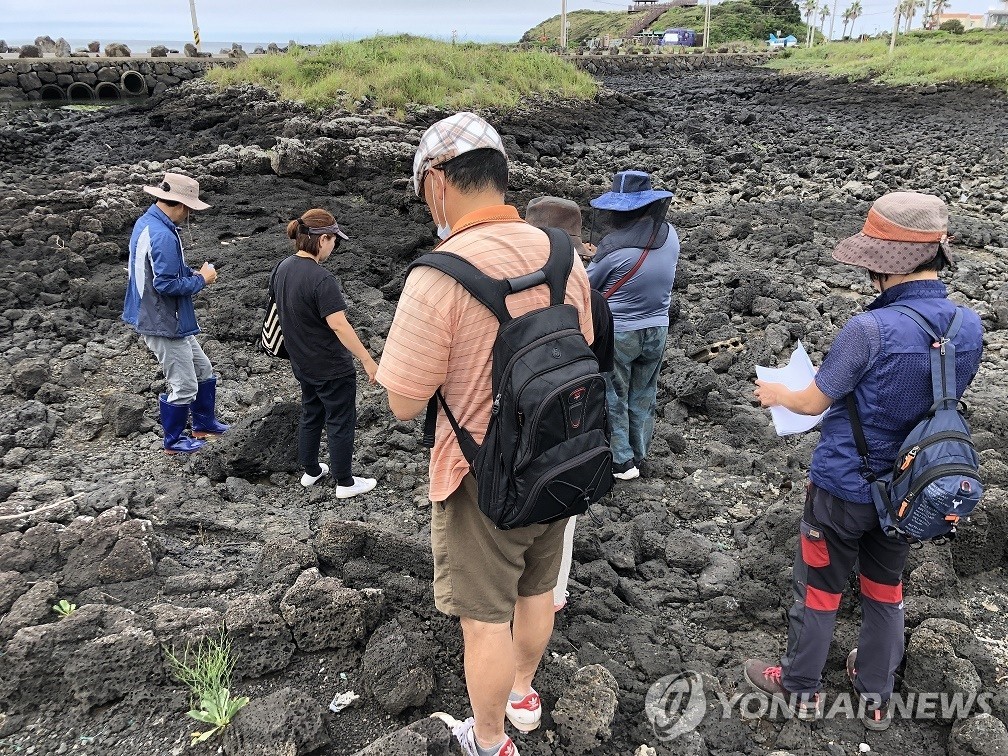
(512, 459)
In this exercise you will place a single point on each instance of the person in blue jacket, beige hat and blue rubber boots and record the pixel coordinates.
(160, 307)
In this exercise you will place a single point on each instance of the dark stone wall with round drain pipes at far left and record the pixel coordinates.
(92, 80)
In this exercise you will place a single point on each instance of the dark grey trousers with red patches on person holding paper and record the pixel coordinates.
(836, 535)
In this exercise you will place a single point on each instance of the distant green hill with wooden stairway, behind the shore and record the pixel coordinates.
(734, 21)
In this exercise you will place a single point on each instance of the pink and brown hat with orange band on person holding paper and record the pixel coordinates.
(904, 230)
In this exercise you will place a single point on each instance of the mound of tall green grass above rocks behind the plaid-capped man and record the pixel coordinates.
(399, 71)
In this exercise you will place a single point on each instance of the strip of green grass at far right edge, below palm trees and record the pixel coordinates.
(922, 58)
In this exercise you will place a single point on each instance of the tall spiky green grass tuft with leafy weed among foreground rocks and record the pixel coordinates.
(206, 672)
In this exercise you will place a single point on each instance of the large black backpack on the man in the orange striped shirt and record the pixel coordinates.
(546, 455)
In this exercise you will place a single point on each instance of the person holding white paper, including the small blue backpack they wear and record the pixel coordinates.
(894, 370)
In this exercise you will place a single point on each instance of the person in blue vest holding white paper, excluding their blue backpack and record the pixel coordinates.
(881, 356)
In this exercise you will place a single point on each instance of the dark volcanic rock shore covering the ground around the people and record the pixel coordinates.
(687, 569)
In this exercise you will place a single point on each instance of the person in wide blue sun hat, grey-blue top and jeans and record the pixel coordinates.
(635, 269)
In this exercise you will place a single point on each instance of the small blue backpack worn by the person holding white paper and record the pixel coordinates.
(936, 481)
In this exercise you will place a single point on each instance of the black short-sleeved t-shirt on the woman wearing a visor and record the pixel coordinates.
(306, 295)
